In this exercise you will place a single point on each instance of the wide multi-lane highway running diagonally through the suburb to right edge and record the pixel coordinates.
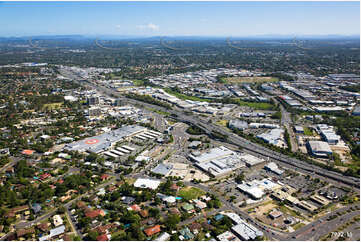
(252, 148)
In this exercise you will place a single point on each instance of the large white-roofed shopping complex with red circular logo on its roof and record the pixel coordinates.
(103, 142)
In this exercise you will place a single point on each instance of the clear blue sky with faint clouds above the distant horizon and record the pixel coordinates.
(179, 18)
